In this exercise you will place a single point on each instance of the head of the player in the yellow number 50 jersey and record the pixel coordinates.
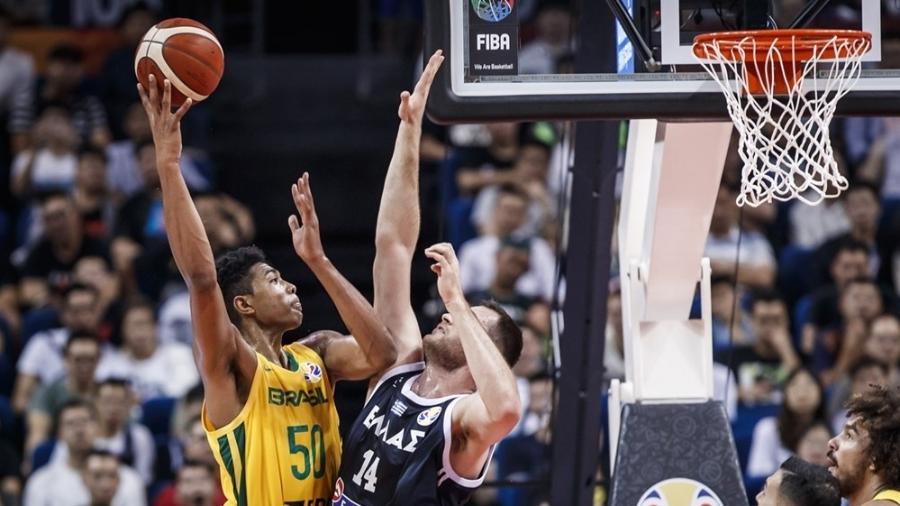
(254, 290)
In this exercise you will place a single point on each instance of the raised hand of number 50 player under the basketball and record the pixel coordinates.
(165, 124)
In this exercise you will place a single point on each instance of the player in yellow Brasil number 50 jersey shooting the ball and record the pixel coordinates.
(268, 410)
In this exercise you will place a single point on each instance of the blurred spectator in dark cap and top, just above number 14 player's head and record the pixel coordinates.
(512, 263)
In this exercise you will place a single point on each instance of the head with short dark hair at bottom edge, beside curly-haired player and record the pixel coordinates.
(799, 483)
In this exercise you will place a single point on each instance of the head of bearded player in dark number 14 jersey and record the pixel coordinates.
(444, 349)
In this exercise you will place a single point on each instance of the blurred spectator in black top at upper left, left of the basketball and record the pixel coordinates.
(64, 85)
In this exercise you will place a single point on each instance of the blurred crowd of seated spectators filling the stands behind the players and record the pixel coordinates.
(99, 396)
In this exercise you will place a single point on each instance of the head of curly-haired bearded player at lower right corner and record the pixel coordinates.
(867, 451)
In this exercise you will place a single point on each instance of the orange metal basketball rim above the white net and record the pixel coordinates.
(794, 44)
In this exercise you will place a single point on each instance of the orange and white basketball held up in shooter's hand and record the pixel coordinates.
(186, 53)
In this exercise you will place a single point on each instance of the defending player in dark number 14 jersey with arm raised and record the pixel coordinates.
(431, 420)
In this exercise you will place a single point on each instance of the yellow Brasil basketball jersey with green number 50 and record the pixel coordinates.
(284, 446)
